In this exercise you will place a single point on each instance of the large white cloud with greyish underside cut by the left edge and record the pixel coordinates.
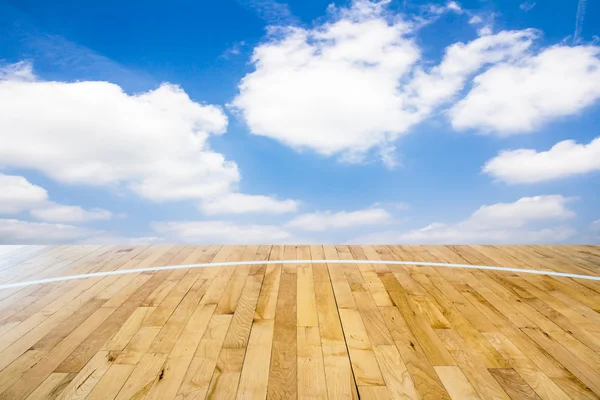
(154, 143)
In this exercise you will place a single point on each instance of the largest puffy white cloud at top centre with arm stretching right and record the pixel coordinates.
(354, 84)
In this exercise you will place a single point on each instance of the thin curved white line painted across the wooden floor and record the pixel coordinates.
(230, 263)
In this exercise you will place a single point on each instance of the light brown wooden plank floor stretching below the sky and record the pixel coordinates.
(310, 331)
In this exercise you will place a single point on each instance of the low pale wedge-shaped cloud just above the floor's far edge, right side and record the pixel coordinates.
(497, 223)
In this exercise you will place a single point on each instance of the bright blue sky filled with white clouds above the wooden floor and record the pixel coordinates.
(245, 121)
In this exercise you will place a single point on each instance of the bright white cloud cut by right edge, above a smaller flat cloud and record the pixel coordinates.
(521, 95)
